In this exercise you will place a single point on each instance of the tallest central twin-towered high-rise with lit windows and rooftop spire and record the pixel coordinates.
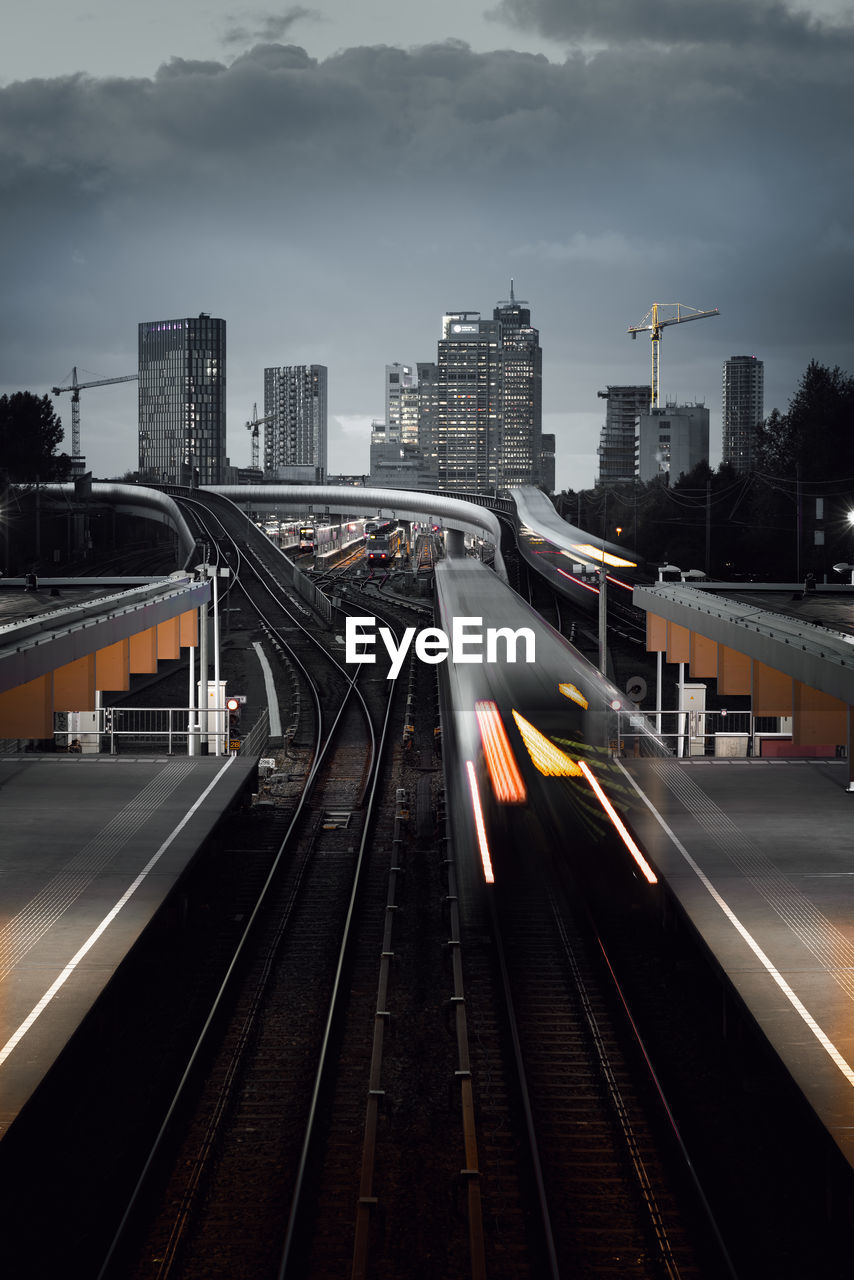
(490, 409)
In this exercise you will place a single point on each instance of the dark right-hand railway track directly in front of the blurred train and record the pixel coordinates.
(574, 1181)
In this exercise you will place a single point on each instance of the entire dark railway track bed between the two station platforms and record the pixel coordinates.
(394, 1078)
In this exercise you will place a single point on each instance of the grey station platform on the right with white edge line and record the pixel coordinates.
(760, 853)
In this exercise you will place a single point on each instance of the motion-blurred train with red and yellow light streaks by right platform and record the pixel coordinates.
(532, 728)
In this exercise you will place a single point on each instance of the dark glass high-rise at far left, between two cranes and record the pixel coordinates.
(182, 401)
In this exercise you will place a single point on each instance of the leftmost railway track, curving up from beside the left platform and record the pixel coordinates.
(293, 938)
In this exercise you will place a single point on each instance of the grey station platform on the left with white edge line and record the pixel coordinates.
(93, 845)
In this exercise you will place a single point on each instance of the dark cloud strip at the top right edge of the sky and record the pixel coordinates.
(669, 22)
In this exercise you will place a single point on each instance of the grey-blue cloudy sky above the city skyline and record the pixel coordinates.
(334, 179)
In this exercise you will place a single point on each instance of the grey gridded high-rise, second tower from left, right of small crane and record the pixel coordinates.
(295, 396)
